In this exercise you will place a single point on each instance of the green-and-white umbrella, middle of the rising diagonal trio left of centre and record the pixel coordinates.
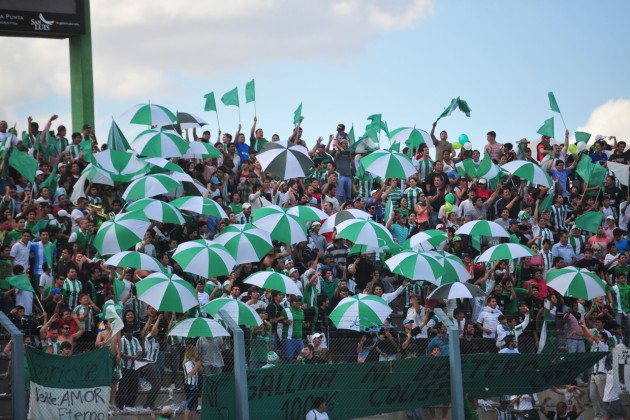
(246, 243)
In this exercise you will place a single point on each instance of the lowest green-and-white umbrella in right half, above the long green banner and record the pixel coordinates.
(359, 312)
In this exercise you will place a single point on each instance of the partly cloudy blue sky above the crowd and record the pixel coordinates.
(345, 60)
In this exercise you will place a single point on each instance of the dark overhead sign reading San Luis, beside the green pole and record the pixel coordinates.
(42, 18)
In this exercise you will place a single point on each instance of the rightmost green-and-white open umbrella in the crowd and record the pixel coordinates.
(576, 282)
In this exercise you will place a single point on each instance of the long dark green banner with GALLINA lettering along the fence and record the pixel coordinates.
(364, 389)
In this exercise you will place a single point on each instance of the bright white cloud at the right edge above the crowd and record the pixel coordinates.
(610, 119)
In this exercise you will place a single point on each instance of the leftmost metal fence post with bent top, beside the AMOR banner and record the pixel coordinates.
(18, 388)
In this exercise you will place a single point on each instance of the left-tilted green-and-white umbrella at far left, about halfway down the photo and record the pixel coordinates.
(121, 232)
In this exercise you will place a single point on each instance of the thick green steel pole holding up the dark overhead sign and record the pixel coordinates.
(81, 78)
